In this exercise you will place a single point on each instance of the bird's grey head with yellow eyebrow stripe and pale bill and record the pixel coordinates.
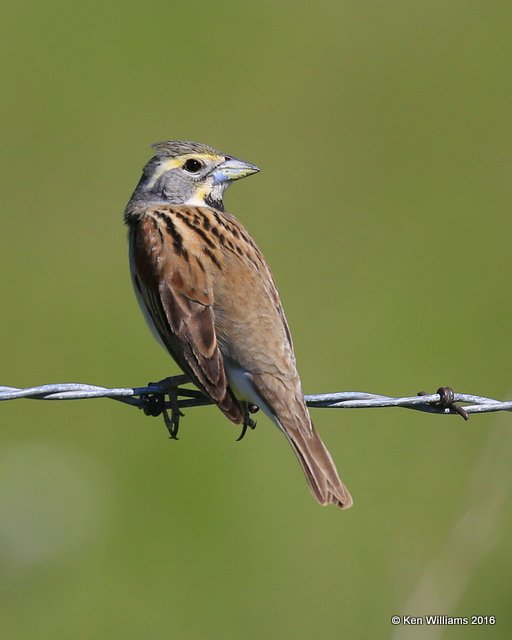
(190, 173)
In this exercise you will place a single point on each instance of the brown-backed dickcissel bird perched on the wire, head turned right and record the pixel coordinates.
(210, 299)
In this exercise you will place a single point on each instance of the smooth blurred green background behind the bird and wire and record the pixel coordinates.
(384, 135)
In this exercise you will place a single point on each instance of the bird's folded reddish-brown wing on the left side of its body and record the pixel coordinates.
(178, 297)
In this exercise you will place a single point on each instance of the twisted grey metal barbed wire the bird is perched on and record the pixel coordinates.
(151, 398)
